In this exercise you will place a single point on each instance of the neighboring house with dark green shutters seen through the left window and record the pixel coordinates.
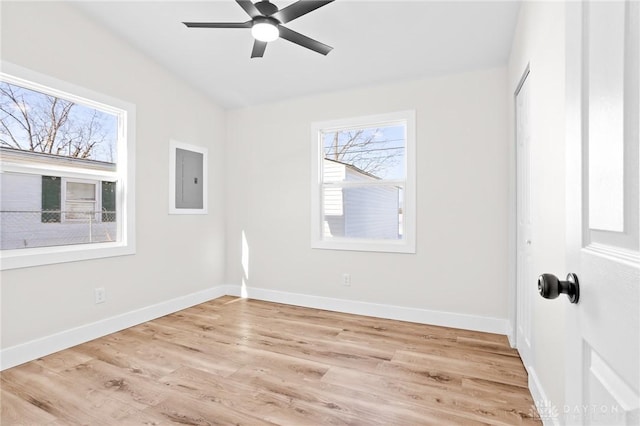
(51, 209)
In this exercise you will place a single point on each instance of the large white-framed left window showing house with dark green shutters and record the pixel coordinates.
(66, 172)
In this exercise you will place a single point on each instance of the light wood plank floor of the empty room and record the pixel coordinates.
(237, 361)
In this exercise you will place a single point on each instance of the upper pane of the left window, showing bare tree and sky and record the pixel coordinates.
(30, 118)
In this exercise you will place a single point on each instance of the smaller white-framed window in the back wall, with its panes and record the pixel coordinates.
(363, 183)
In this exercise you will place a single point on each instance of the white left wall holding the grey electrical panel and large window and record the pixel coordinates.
(176, 255)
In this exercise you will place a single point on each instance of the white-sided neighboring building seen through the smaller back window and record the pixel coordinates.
(359, 212)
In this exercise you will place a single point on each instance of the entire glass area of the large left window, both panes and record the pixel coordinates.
(43, 211)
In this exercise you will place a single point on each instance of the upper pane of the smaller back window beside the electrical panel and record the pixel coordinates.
(364, 154)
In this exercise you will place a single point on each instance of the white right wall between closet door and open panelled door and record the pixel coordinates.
(539, 41)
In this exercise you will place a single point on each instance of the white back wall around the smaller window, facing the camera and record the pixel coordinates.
(462, 140)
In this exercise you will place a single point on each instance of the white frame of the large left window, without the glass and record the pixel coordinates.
(124, 174)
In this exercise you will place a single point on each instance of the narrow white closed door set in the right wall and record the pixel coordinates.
(525, 292)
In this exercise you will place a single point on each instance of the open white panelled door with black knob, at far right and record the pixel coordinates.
(603, 329)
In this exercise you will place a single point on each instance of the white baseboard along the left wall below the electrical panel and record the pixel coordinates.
(35, 349)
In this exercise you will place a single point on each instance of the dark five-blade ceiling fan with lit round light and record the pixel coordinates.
(266, 24)
